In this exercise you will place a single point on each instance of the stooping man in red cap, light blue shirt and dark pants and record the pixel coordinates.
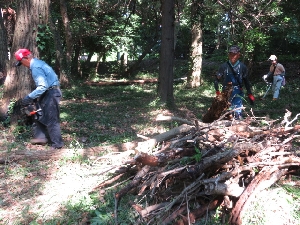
(48, 95)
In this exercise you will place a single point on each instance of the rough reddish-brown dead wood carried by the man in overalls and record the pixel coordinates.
(218, 106)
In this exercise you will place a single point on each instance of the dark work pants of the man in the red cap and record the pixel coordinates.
(48, 125)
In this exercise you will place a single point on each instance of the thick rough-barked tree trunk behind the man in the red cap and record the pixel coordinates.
(19, 83)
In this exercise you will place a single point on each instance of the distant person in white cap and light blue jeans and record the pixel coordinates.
(276, 75)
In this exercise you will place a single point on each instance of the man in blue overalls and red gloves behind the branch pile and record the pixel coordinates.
(236, 73)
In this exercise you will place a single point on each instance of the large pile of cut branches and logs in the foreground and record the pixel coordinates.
(180, 175)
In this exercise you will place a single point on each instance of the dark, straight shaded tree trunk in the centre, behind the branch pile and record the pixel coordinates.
(166, 73)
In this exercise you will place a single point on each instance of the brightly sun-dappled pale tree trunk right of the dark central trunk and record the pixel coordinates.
(193, 78)
